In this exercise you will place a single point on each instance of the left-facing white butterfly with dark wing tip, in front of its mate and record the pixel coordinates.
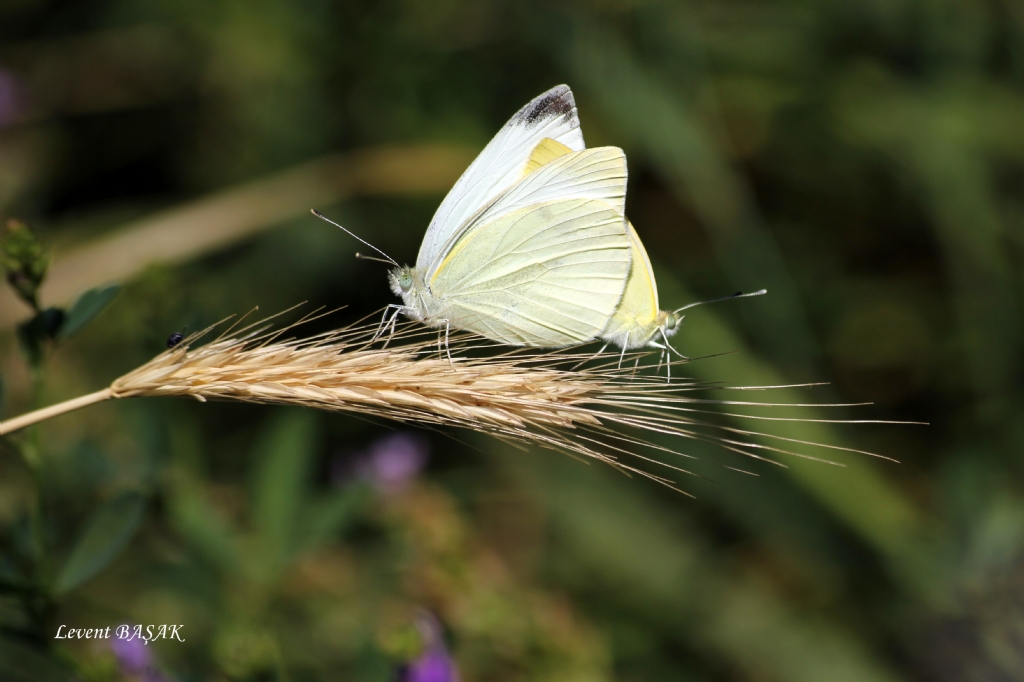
(527, 259)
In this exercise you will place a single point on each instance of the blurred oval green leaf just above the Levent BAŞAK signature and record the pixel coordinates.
(106, 535)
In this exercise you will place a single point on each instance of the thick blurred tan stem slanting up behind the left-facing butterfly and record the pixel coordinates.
(231, 216)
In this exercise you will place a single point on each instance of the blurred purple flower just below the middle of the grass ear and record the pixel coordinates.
(389, 465)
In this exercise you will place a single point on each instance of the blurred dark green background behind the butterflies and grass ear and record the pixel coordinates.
(863, 161)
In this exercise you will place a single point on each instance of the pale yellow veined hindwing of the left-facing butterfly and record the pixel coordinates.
(549, 274)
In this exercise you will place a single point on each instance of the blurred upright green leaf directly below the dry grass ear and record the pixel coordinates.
(279, 484)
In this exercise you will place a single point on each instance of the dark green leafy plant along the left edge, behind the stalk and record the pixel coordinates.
(34, 584)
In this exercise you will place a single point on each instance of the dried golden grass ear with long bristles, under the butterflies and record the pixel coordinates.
(602, 412)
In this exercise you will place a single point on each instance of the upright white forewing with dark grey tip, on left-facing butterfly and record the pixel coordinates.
(500, 164)
